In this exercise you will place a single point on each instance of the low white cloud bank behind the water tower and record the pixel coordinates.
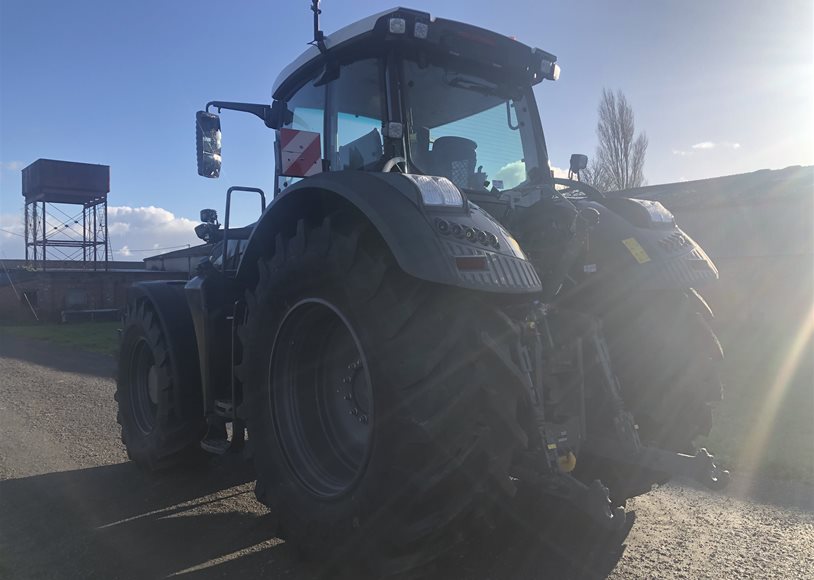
(134, 232)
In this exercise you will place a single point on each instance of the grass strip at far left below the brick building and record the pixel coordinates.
(98, 337)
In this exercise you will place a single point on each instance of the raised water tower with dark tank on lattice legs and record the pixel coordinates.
(66, 213)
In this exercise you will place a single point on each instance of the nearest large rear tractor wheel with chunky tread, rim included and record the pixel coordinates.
(380, 428)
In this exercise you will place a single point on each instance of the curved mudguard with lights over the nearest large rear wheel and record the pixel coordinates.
(422, 239)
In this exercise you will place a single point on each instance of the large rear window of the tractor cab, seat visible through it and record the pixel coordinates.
(464, 127)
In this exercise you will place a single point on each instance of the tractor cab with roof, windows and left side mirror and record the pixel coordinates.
(402, 91)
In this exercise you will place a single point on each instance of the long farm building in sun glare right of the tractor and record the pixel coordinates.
(759, 229)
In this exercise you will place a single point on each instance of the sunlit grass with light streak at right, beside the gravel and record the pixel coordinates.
(765, 424)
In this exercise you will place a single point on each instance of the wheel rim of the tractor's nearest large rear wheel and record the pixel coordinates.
(321, 398)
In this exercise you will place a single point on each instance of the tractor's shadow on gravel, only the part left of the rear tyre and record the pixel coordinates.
(116, 522)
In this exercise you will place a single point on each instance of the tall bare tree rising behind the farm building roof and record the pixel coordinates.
(619, 160)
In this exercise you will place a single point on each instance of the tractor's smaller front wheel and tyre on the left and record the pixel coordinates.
(161, 425)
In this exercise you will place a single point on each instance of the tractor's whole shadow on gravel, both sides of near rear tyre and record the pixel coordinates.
(114, 522)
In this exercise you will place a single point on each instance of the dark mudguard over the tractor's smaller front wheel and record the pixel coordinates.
(168, 300)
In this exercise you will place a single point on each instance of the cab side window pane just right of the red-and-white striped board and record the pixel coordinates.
(357, 101)
